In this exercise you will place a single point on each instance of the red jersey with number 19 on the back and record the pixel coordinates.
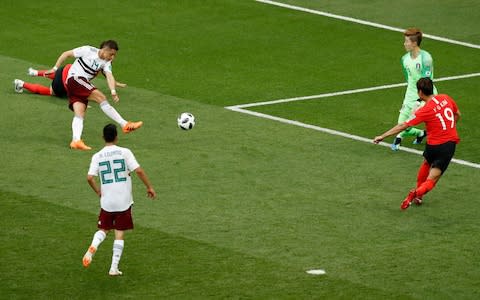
(438, 114)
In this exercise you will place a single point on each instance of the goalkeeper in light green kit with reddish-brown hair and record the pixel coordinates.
(416, 63)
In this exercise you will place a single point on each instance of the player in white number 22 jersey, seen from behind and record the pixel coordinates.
(113, 164)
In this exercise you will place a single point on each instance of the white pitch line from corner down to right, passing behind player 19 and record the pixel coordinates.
(338, 133)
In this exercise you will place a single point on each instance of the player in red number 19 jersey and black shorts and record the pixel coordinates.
(440, 115)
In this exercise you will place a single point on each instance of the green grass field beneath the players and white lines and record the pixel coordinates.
(245, 205)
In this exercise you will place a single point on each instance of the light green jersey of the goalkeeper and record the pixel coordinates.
(414, 69)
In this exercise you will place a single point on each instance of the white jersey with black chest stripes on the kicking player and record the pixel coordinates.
(88, 63)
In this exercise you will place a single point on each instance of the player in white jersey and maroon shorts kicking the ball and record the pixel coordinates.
(89, 61)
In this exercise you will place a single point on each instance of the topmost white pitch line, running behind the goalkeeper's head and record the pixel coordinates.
(358, 21)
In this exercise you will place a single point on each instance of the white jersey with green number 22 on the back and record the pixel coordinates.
(113, 164)
